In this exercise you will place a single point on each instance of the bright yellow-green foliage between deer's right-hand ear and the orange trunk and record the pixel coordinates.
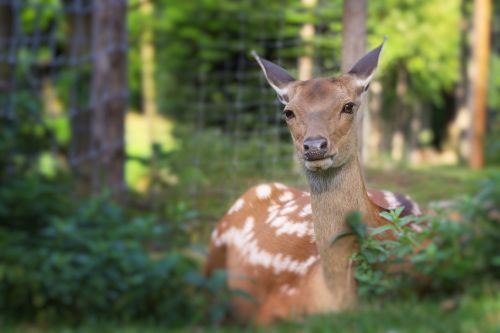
(423, 38)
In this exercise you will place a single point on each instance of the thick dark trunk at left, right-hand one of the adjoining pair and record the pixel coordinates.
(109, 94)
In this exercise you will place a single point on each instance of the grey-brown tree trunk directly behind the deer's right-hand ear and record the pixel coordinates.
(354, 47)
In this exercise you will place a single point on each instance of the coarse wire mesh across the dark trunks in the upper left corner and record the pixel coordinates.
(62, 80)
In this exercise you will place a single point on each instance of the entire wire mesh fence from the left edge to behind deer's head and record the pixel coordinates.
(64, 87)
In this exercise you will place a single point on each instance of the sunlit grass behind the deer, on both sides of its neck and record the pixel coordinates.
(424, 185)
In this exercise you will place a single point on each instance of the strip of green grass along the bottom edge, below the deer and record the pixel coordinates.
(469, 314)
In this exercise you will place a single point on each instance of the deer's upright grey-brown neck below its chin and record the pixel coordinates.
(335, 193)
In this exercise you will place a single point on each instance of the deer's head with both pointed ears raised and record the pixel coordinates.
(321, 113)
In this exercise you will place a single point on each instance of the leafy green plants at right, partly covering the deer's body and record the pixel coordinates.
(454, 249)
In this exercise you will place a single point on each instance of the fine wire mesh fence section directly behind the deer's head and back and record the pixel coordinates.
(228, 120)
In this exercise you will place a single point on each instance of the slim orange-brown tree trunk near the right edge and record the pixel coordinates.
(479, 82)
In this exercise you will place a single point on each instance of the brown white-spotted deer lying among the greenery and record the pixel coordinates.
(275, 241)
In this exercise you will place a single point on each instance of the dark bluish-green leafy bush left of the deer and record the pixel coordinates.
(68, 261)
